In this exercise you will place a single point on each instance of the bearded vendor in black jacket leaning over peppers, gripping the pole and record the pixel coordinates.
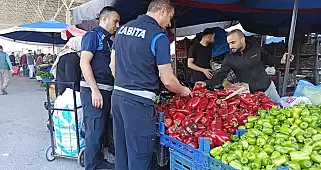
(247, 60)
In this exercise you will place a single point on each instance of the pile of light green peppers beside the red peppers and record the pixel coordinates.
(280, 137)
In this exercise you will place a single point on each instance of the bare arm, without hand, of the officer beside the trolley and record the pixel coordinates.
(85, 59)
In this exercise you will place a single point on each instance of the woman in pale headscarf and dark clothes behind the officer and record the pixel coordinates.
(66, 66)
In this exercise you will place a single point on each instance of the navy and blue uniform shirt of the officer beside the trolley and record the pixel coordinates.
(98, 42)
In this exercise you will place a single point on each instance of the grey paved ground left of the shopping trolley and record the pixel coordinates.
(24, 136)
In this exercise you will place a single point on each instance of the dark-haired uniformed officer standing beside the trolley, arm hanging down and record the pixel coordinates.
(97, 85)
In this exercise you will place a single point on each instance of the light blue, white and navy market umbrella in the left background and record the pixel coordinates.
(39, 32)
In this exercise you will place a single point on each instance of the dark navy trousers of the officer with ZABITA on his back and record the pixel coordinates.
(134, 133)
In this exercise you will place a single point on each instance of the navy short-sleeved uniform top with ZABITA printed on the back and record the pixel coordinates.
(138, 53)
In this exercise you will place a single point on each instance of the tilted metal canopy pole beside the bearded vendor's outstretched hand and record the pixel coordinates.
(290, 46)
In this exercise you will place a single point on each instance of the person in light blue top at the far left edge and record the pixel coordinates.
(5, 71)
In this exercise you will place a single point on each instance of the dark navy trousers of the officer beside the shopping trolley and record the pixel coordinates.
(95, 121)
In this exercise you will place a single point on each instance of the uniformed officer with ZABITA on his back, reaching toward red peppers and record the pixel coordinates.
(141, 51)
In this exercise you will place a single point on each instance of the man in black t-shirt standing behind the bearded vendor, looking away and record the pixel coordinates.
(200, 55)
